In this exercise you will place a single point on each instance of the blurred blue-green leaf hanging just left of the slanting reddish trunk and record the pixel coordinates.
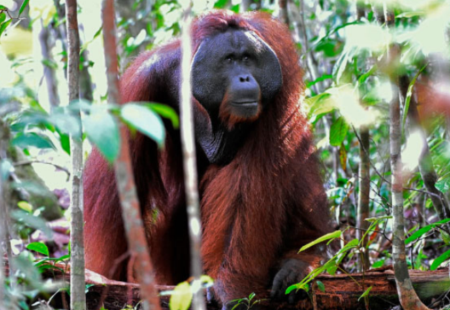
(103, 131)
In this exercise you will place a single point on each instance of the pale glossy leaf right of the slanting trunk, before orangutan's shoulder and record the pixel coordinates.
(145, 120)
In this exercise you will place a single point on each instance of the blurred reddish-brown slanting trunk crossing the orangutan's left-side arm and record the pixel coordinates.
(124, 173)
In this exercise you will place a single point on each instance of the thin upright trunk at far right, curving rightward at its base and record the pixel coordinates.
(407, 294)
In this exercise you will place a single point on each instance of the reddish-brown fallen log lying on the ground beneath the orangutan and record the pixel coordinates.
(341, 291)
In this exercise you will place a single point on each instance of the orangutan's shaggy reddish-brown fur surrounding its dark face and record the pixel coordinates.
(256, 211)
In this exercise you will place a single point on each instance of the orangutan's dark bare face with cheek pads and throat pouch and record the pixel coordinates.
(235, 75)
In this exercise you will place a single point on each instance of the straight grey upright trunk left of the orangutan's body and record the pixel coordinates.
(77, 278)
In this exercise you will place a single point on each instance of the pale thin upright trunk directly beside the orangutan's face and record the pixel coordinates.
(189, 162)
